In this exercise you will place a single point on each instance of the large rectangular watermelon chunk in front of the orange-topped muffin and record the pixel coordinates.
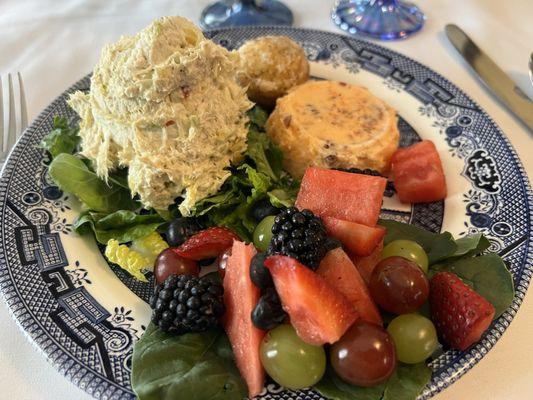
(342, 195)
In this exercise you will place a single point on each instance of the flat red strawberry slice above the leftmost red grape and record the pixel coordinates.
(208, 243)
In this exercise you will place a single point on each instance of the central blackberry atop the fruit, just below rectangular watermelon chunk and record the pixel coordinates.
(300, 235)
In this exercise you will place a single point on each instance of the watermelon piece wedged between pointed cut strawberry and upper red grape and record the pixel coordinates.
(338, 270)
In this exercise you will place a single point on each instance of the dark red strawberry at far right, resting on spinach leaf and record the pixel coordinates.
(460, 314)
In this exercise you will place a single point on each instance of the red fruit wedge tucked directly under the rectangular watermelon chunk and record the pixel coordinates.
(359, 239)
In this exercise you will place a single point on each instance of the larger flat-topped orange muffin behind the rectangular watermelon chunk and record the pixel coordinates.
(333, 125)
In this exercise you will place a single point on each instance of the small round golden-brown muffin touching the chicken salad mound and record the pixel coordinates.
(270, 66)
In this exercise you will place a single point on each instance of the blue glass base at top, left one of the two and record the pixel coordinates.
(246, 12)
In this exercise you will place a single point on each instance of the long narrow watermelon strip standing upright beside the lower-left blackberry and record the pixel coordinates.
(240, 298)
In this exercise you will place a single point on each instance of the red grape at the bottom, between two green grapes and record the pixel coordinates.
(365, 355)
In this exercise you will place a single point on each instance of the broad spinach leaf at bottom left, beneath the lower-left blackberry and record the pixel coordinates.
(194, 366)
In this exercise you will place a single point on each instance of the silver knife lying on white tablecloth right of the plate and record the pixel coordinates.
(492, 75)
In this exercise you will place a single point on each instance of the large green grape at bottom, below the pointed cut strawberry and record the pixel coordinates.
(290, 361)
